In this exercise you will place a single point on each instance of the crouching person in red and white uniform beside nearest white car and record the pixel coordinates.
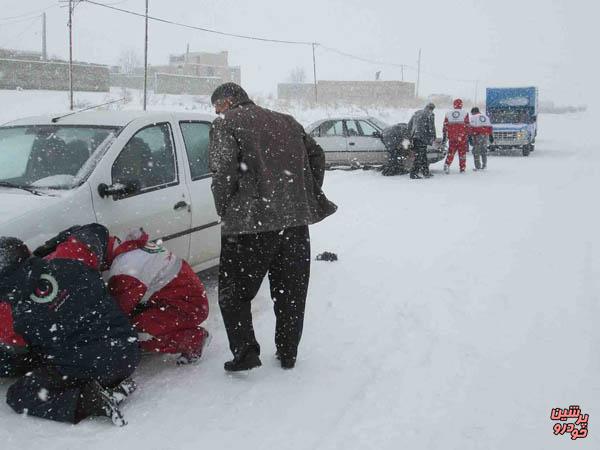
(163, 297)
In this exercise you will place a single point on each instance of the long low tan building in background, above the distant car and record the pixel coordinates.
(360, 93)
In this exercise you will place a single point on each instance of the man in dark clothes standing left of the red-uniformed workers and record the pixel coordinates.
(422, 131)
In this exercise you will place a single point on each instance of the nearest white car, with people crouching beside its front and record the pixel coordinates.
(121, 169)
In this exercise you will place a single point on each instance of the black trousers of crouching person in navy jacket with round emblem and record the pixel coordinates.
(43, 391)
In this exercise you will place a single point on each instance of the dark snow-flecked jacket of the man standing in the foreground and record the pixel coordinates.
(267, 172)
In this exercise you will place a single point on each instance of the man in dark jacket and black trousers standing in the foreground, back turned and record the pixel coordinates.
(267, 178)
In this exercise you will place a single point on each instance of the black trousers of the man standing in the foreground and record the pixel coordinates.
(245, 260)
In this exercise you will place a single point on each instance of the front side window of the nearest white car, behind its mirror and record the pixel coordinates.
(148, 159)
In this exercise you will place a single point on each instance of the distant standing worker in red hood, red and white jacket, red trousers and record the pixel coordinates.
(456, 133)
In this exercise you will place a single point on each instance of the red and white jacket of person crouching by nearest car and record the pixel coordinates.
(146, 274)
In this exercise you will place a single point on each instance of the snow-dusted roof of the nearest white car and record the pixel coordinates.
(108, 118)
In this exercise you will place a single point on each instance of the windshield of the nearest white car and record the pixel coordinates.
(50, 156)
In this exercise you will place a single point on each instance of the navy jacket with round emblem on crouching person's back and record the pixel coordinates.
(63, 311)
